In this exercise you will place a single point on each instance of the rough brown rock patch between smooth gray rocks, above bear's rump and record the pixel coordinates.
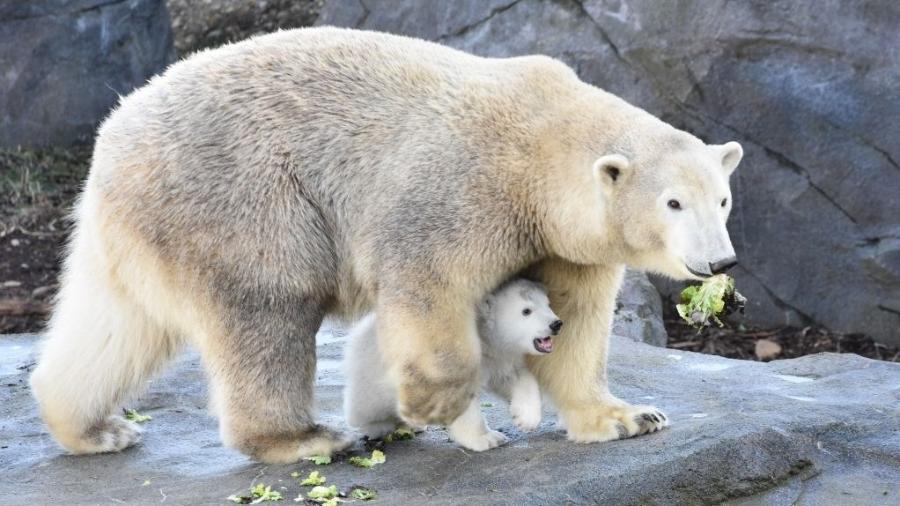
(199, 24)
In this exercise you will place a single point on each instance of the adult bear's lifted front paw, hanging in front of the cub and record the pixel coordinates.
(424, 400)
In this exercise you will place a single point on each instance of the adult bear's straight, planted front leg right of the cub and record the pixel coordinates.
(574, 375)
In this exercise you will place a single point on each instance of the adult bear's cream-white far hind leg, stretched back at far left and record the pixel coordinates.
(100, 348)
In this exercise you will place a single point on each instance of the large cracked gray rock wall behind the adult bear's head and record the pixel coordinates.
(809, 87)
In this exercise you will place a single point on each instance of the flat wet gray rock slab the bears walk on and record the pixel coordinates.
(821, 430)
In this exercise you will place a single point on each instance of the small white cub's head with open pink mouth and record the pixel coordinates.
(520, 317)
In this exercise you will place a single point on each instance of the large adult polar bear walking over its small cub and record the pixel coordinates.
(249, 191)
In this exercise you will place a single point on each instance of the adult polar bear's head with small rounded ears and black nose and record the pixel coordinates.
(668, 209)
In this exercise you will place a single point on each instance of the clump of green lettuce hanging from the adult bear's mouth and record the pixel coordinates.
(705, 303)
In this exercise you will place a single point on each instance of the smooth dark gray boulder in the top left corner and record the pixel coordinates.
(66, 61)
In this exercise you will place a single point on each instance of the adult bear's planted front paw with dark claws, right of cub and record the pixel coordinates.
(603, 422)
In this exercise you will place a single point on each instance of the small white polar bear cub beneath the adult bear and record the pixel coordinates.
(513, 321)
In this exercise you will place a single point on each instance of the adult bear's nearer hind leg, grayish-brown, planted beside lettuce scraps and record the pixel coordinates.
(262, 364)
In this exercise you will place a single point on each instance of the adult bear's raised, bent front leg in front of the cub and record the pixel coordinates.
(435, 353)
